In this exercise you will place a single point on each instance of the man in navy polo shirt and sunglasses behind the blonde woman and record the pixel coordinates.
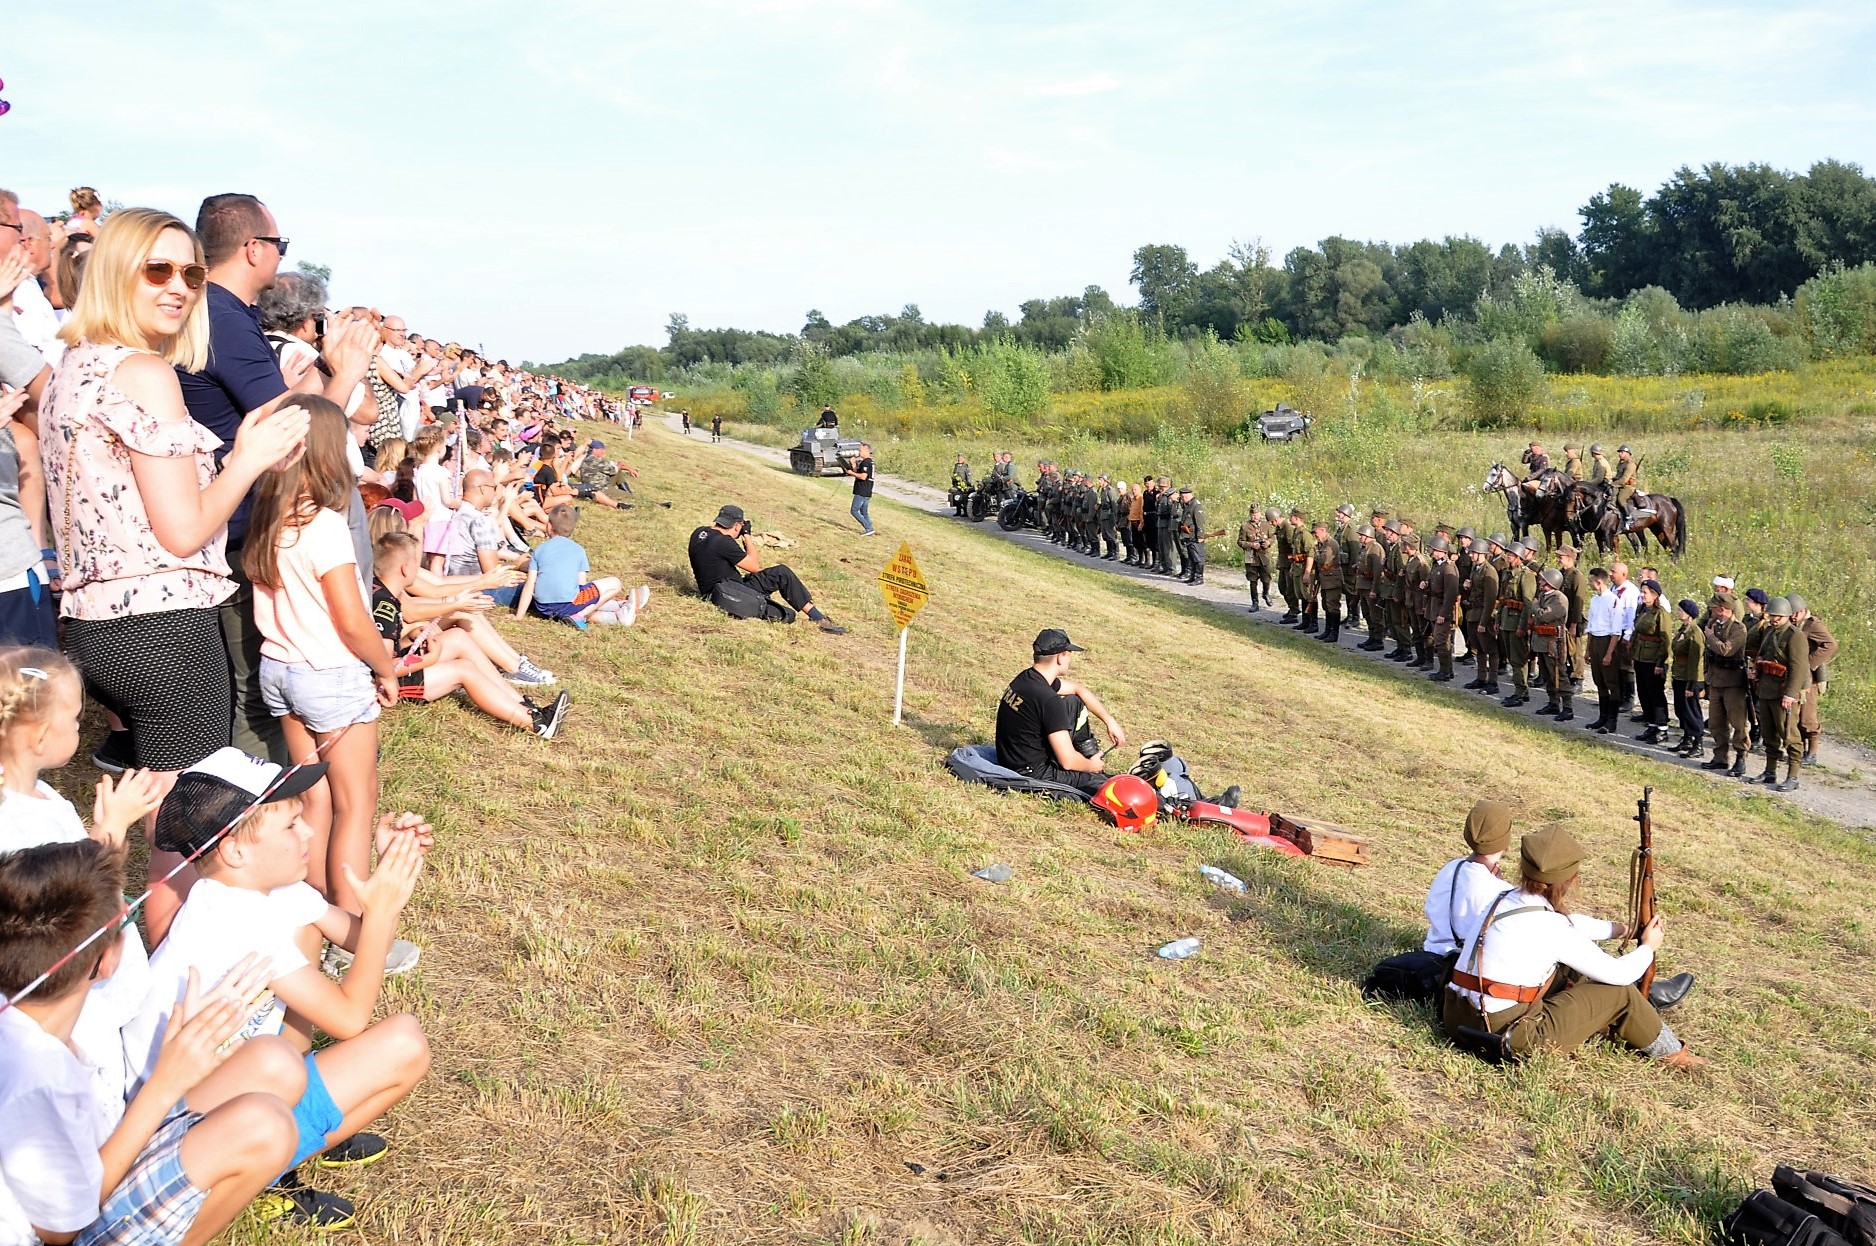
(243, 380)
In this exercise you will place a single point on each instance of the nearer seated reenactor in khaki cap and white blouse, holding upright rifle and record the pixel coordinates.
(1507, 977)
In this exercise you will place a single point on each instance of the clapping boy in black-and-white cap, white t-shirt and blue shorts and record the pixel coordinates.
(243, 819)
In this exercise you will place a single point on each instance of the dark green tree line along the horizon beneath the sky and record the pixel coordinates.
(1716, 237)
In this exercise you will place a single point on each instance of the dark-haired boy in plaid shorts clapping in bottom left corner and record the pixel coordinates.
(205, 1134)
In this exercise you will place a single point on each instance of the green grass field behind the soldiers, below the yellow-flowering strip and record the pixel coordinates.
(1793, 509)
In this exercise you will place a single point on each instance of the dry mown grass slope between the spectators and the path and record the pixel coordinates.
(712, 965)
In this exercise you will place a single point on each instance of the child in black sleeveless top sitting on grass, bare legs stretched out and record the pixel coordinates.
(446, 661)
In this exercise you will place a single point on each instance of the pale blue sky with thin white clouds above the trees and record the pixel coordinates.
(560, 177)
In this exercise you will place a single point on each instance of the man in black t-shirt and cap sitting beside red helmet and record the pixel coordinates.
(1036, 722)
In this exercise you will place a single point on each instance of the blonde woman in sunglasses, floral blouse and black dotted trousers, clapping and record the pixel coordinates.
(142, 583)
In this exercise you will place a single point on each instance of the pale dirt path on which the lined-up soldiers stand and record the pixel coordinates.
(1841, 787)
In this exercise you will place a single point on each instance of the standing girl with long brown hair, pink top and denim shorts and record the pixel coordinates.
(324, 669)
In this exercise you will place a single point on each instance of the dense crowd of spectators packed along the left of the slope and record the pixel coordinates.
(245, 524)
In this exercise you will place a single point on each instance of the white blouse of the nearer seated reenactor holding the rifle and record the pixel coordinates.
(1526, 949)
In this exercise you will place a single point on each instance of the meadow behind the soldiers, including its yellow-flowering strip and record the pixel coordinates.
(1787, 504)
